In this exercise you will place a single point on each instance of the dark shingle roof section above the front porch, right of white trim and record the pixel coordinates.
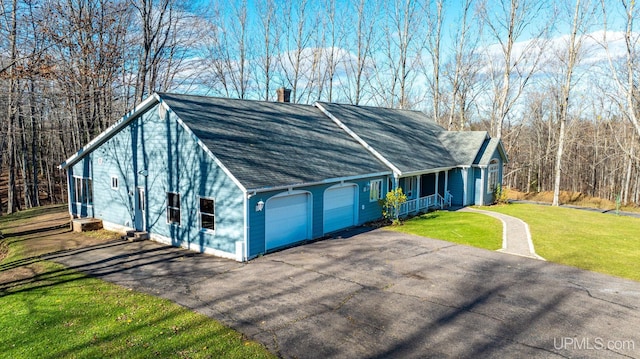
(408, 139)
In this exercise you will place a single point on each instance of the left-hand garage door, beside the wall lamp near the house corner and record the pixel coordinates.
(287, 219)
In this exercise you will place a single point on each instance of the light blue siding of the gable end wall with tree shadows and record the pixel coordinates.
(161, 156)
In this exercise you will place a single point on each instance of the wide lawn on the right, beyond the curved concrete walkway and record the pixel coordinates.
(597, 242)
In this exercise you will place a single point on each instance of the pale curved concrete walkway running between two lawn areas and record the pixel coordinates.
(516, 237)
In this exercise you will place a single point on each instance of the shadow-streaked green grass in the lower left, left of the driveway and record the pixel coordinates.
(52, 312)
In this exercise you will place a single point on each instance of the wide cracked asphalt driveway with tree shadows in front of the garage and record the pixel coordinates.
(383, 294)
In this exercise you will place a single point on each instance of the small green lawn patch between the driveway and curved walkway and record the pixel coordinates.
(471, 229)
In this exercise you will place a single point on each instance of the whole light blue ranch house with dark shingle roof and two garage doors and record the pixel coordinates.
(241, 178)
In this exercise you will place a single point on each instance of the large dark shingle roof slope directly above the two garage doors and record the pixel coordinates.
(268, 144)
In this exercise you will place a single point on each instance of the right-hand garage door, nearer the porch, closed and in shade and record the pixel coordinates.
(339, 208)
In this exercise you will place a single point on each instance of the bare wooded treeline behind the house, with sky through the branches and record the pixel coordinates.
(566, 107)
